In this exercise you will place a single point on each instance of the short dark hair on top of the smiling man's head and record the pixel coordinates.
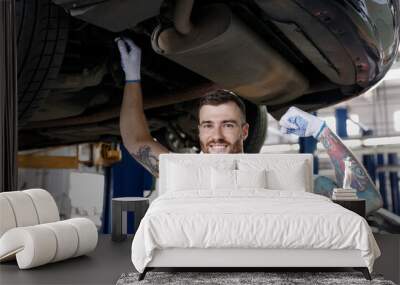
(222, 96)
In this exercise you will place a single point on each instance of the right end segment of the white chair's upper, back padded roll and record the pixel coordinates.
(45, 205)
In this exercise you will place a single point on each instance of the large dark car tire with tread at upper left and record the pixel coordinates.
(42, 31)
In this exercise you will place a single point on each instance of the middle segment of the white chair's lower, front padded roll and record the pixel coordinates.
(67, 239)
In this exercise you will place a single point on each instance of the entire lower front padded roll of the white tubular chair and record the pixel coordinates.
(40, 244)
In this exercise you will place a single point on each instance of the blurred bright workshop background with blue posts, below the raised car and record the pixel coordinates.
(93, 173)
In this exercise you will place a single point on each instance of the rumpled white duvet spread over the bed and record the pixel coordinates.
(257, 218)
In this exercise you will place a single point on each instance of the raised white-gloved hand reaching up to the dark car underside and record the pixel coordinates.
(130, 60)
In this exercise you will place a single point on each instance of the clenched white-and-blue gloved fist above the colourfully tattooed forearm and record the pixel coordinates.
(303, 124)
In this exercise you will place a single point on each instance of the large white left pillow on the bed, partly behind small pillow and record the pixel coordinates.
(187, 176)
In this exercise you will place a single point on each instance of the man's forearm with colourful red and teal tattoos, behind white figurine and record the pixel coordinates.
(361, 181)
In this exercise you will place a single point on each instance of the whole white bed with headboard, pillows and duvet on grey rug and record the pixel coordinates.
(218, 225)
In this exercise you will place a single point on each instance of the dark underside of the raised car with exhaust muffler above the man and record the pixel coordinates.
(274, 54)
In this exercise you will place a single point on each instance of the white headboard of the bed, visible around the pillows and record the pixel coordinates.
(283, 161)
